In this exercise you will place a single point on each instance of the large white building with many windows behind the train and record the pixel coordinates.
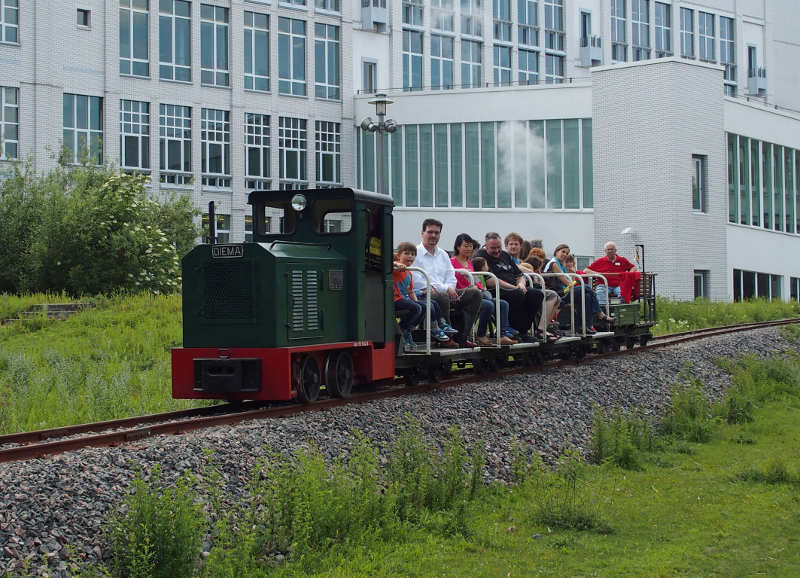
(563, 120)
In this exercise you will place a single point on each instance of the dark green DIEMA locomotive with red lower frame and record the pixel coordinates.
(310, 296)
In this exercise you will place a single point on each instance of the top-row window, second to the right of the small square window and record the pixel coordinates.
(174, 40)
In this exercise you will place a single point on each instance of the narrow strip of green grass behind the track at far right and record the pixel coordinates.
(677, 316)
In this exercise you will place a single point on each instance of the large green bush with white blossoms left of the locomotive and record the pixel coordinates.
(89, 230)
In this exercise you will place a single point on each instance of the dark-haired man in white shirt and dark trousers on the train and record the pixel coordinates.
(436, 263)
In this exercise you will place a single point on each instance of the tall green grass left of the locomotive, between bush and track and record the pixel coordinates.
(108, 362)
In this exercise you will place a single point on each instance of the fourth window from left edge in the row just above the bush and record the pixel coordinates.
(175, 144)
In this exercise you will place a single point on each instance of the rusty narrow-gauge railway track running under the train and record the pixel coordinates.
(42, 443)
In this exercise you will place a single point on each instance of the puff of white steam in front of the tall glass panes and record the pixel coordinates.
(521, 161)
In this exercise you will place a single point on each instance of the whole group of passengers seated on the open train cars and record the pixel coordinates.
(528, 309)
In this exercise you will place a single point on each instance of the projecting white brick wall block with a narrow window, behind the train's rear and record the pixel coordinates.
(648, 121)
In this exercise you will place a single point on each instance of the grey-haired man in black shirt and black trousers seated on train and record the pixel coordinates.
(524, 304)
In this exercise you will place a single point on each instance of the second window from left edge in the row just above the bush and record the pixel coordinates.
(83, 128)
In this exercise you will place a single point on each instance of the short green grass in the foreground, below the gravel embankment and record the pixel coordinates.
(685, 514)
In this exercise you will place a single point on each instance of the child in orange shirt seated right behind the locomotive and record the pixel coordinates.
(406, 300)
